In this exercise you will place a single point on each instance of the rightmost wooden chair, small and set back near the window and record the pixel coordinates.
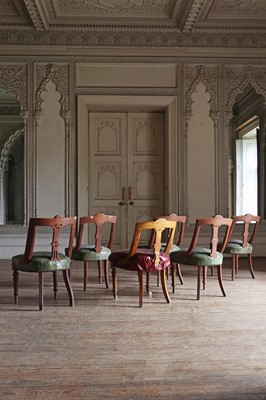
(241, 244)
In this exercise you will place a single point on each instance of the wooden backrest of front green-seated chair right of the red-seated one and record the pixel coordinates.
(216, 235)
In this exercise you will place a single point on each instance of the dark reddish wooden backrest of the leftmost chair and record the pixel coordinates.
(56, 224)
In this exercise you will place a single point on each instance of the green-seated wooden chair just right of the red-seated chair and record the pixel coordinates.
(202, 257)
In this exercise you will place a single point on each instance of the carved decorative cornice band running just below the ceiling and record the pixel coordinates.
(133, 38)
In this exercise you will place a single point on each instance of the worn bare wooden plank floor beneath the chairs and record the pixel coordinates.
(104, 349)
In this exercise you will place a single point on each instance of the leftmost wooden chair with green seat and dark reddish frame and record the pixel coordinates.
(46, 261)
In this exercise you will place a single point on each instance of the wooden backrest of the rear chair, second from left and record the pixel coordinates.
(98, 220)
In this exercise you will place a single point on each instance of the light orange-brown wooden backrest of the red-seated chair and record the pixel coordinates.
(157, 227)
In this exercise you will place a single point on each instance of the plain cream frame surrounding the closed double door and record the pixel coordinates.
(96, 103)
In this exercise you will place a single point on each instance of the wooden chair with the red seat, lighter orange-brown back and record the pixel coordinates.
(145, 259)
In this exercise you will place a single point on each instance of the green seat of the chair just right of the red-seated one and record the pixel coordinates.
(200, 256)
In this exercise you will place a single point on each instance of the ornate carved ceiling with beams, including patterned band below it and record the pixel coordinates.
(60, 20)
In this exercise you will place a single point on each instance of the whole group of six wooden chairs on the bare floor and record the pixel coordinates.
(160, 254)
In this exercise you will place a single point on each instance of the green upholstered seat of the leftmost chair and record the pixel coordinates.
(41, 262)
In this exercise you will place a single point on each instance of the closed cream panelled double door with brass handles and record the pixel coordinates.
(126, 169)
